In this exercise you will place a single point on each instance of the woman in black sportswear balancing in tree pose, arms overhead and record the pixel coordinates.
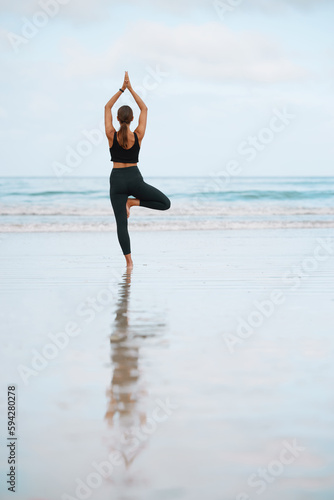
(125, 177)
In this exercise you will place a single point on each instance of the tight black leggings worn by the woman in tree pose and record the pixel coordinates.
(128, 181)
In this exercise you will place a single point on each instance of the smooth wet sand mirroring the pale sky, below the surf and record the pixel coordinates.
(205, 373)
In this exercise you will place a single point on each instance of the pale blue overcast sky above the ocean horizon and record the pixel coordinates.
(230, 84)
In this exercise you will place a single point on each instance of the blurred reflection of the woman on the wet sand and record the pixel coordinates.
(127, 411)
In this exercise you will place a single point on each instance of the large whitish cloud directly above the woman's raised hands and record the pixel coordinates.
(208, 52)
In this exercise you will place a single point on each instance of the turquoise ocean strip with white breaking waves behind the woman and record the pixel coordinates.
(35, 204)
